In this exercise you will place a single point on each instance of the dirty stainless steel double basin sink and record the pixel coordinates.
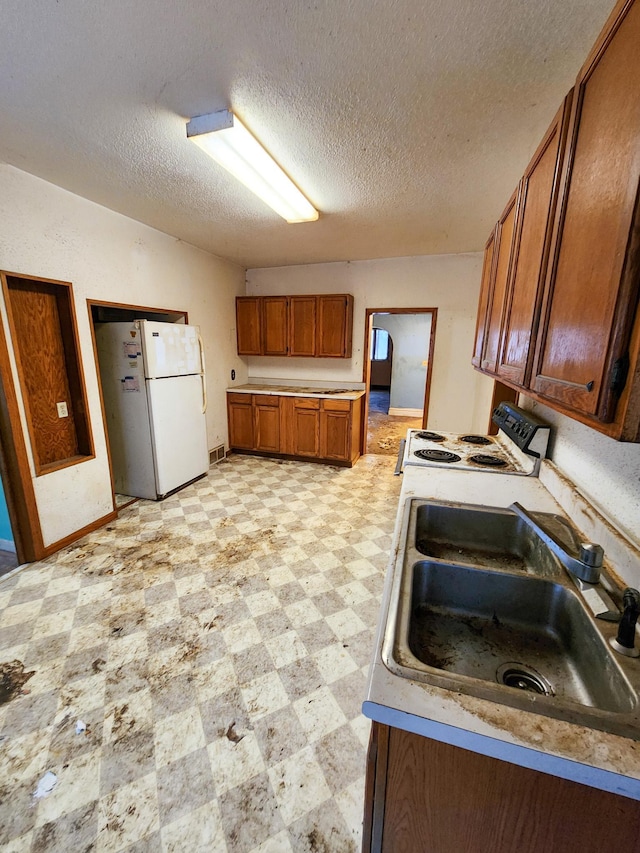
(481, 606)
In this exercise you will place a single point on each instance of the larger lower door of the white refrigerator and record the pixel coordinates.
(178, 430)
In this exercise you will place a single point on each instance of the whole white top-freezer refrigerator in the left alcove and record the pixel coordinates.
(153, 386)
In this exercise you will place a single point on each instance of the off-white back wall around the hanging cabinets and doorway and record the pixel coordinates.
(460, 397)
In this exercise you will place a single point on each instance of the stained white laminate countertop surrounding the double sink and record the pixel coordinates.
(563, 749)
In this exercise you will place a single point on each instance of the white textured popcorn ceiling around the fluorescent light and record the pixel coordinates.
(406, 122)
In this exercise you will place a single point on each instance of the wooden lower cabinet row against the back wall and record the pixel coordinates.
(311, 428)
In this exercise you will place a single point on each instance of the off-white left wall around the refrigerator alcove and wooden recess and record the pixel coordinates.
(52, 233)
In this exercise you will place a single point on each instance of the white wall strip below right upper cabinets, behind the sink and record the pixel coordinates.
(607, 472)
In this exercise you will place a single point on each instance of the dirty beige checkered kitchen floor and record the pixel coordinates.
(216, 647)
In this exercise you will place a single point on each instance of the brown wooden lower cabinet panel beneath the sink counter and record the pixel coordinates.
(423, 796)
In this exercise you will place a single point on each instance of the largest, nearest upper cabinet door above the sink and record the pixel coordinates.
(592, 284)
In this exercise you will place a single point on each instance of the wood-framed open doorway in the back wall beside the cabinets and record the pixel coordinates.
(399, 345)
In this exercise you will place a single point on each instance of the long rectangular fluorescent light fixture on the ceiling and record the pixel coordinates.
(223, 136)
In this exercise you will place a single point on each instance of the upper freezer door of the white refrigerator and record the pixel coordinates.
(170, 349)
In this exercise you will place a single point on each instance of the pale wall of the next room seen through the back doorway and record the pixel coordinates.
(410, 334)
